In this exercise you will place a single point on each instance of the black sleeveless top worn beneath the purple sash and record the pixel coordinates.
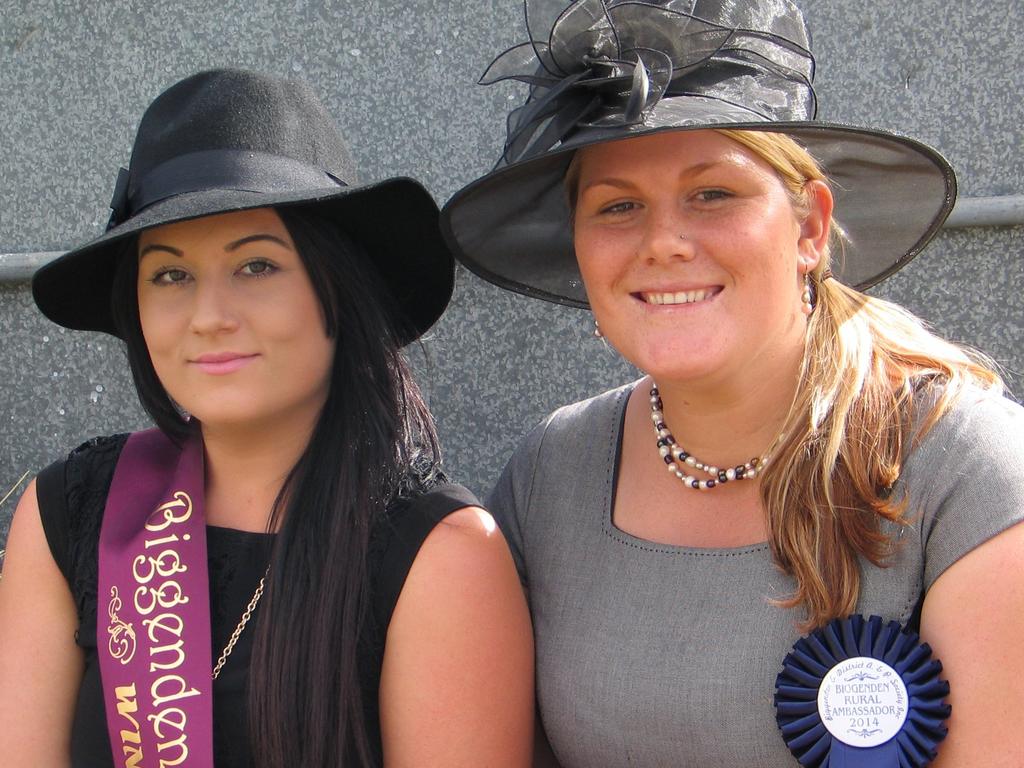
(72, 497)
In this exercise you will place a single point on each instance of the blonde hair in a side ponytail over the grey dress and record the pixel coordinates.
(852, 424)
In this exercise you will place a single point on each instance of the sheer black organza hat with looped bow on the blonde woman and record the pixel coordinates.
(607, 70)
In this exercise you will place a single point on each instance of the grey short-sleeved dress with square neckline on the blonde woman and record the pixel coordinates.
(651, 655)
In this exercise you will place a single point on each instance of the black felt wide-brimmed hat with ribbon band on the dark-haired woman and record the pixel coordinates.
(232, 141)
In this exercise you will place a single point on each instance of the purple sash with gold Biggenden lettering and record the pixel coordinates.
(156, 666)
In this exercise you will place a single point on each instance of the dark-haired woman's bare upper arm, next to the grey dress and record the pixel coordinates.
(457, 685)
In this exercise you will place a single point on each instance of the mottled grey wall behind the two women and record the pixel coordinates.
(400, 78)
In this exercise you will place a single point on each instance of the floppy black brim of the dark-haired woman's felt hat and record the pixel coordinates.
(395, 221)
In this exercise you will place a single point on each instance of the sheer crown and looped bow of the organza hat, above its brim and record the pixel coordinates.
(608, 63)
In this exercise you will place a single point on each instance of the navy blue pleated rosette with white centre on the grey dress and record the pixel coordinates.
(860, 694)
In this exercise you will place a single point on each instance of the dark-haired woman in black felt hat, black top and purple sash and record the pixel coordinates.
(279, 574)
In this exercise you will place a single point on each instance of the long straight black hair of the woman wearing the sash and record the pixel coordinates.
(374, 442)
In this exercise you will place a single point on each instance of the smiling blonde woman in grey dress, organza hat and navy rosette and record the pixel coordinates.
(839, 478)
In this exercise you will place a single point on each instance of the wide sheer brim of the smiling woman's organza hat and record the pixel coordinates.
(511, 228)
